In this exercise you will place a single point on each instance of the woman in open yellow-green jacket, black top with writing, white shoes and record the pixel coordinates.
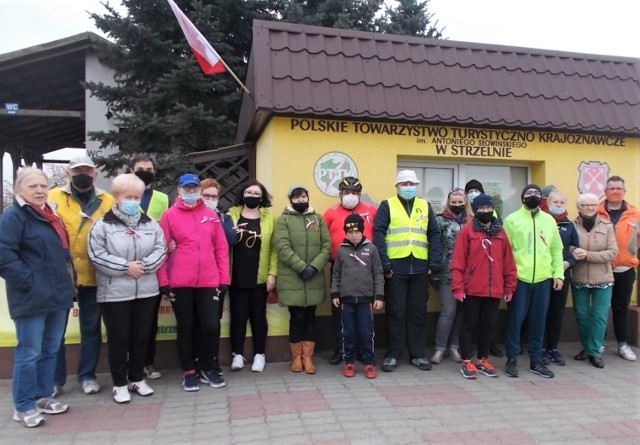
(253, 272)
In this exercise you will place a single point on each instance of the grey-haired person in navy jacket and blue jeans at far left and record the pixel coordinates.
(36, 264)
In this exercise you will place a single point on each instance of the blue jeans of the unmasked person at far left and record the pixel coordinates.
(35, 357)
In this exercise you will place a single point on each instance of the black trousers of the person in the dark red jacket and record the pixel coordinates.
(482, 311)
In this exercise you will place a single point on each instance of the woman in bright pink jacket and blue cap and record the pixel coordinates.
(193, 276)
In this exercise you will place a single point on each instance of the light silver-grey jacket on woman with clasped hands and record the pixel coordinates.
(112, 245)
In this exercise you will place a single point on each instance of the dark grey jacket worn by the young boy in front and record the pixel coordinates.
(357, 273)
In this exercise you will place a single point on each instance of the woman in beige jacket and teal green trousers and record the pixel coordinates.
(592, 277)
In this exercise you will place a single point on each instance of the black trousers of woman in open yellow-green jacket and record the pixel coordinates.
(248, 304)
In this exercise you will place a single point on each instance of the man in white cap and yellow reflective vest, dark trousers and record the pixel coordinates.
(407, 236)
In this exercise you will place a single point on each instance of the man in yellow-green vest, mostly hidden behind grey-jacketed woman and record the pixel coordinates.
(153, 203)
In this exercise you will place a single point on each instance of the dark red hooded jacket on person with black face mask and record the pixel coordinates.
(482, 266)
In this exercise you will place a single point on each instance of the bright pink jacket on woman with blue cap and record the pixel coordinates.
(201, 258)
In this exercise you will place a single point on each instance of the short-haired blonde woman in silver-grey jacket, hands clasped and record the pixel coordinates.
(127, 248)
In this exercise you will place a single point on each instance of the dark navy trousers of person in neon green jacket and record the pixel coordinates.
(531, 301)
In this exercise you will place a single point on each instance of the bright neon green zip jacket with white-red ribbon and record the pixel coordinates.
(536, 245)
